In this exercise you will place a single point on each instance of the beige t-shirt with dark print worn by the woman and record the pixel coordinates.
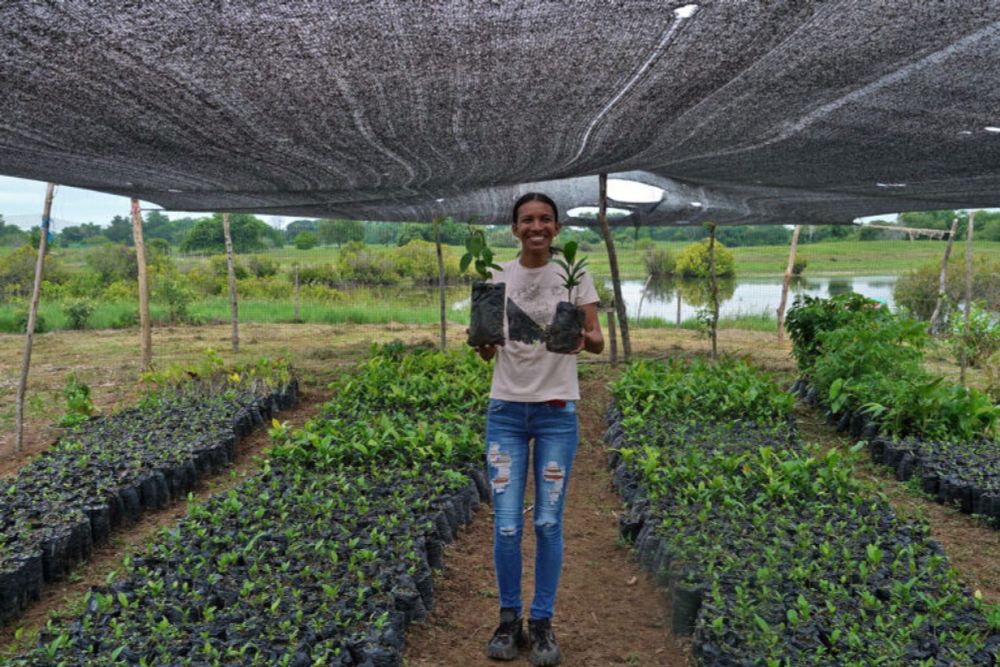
(525, 370)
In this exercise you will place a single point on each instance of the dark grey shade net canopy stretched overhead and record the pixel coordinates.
(741, 112)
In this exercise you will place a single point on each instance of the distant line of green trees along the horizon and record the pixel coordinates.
(203, 235)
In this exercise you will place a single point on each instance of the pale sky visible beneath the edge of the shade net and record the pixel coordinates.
(21, 204)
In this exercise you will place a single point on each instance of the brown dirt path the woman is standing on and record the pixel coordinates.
(608, 611)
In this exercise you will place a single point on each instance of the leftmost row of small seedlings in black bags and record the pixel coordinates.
(107, 470)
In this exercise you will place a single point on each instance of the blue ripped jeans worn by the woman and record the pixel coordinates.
(509, 427)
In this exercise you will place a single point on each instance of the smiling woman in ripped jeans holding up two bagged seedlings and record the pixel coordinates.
(533, 396)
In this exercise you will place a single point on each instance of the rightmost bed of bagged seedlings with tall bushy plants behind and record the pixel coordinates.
(851, 354)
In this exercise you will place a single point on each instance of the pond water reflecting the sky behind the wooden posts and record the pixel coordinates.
(746, 296)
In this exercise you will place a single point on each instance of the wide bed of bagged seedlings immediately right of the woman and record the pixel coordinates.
(773, 553)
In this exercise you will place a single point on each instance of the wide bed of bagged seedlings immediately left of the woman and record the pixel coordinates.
(323, 557)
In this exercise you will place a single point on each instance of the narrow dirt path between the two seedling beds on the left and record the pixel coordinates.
(64, 598)
